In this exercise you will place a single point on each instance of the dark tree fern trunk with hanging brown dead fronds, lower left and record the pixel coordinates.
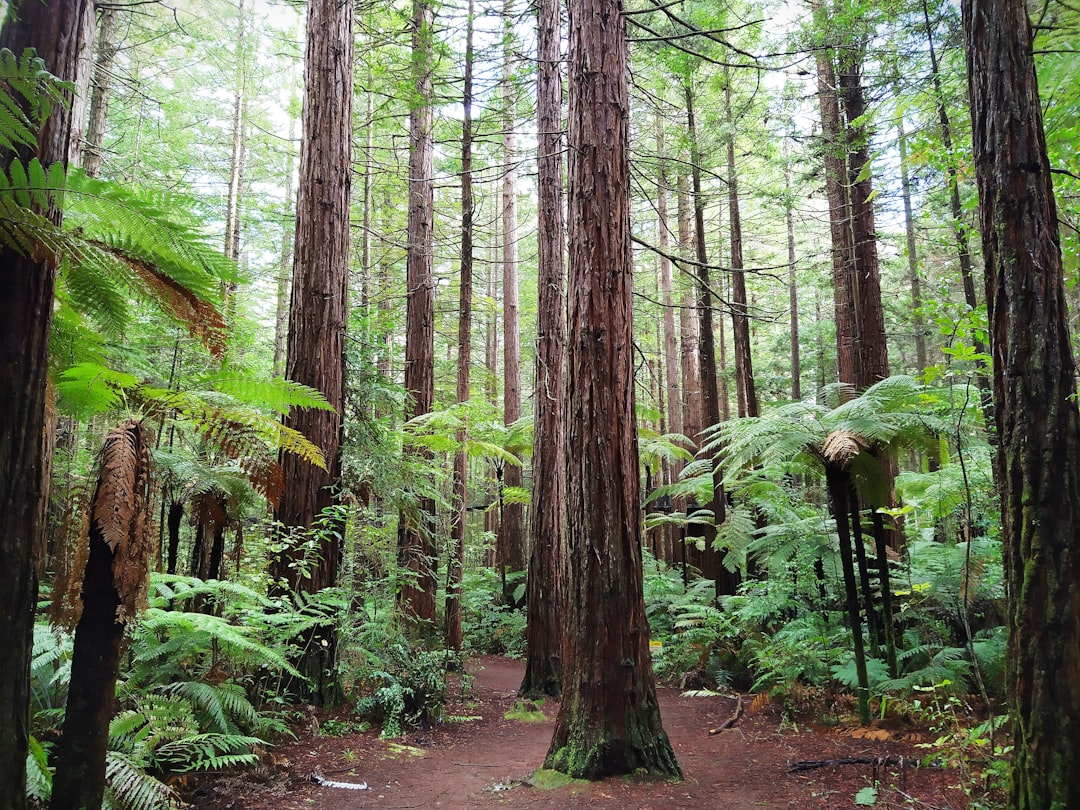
(114, 585)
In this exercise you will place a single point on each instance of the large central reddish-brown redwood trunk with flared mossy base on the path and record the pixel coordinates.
(610, 720)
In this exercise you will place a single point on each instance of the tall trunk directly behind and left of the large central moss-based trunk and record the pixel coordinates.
(544, 657)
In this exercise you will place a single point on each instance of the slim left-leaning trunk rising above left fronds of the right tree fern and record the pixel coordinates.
(746, 389)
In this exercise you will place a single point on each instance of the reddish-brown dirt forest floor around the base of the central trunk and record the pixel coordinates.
(485, 761)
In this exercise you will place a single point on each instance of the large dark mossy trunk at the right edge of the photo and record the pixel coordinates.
(1035, 391)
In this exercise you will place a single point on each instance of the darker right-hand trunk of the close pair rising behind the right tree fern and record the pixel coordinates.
(873, 357)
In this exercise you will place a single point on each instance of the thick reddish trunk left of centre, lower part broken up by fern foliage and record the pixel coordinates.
(318, 317)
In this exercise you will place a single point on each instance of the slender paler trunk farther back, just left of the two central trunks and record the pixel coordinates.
(512, 551)
